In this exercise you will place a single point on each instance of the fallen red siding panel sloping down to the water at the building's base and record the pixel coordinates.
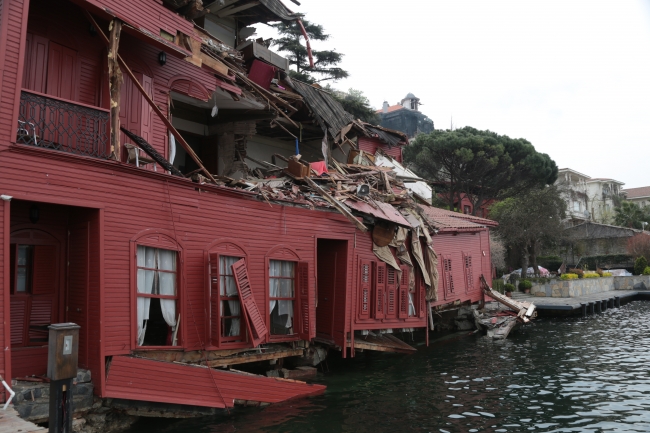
(147, 380)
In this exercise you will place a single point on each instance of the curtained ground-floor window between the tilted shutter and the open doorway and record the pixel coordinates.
(281, 296)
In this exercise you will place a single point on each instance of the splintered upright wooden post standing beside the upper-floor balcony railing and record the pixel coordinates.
(115, 85)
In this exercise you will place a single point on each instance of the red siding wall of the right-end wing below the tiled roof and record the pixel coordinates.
(457, 247)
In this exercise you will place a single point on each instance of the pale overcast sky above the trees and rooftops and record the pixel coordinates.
(571, 77)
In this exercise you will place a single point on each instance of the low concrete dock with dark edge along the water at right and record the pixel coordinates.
(587, 304)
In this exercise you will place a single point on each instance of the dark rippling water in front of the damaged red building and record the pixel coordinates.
(557, 375)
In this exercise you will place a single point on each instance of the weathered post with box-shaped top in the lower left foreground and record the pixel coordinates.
(62, 355)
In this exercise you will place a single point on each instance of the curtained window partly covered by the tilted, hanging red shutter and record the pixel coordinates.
(229, 306)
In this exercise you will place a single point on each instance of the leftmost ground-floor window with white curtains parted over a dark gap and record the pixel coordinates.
(157, 297)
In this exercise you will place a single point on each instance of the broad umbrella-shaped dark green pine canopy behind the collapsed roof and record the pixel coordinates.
(480, 165)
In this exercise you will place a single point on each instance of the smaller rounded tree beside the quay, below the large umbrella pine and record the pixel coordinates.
(531, 221)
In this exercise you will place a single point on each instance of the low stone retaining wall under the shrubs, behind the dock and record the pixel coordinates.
(586, 286)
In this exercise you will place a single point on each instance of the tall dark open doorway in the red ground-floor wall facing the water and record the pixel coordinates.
(332, 259)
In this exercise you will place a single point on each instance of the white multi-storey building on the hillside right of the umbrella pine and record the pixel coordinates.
(589, 199)
